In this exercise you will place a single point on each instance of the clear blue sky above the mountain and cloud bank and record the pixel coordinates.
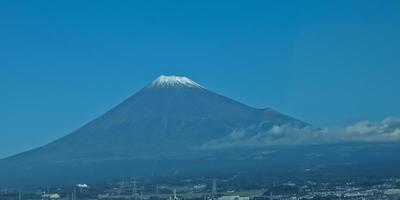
(62, 63)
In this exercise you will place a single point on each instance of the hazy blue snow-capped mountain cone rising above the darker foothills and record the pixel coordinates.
(169, 118)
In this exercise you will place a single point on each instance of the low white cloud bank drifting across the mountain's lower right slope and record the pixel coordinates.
(367, 131)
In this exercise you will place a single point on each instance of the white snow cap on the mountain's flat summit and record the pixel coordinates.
(174, 81)
